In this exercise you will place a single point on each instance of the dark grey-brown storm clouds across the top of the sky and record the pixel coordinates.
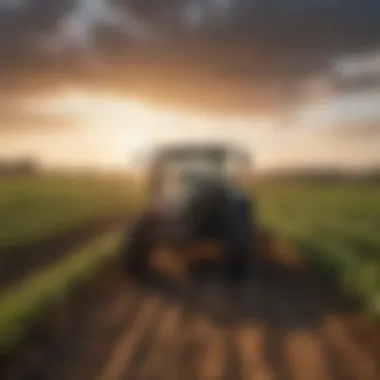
(215, 55)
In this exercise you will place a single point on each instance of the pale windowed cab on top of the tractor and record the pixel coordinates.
(180, 170)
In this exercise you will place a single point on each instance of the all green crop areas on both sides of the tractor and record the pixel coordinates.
(334, 226)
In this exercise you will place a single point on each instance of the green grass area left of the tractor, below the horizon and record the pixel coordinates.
(36, 208)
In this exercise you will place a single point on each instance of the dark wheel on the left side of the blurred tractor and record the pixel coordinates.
(139, 244)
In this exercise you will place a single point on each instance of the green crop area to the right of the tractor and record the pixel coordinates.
(336, 228)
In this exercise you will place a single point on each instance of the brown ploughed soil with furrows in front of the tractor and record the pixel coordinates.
(283, 322)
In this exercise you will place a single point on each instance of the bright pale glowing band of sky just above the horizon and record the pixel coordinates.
(109, 132)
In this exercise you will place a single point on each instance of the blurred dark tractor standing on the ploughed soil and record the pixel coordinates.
(199, 212)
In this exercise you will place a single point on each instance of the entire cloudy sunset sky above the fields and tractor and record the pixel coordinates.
(95, 83)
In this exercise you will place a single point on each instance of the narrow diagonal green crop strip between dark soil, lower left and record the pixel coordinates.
(21, 307)
